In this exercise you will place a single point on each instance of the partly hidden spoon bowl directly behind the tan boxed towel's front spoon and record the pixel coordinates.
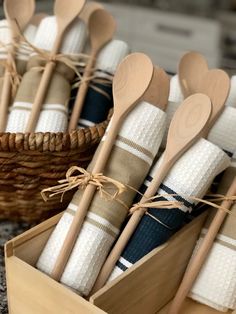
(158, 91)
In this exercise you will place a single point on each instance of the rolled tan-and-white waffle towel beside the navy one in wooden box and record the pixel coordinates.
(137, 143)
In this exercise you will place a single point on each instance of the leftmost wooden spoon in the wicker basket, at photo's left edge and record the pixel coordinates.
(18, 14)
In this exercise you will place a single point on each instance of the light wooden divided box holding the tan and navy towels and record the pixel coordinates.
(145, 288)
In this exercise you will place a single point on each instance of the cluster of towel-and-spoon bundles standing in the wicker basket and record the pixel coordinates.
(57, 71)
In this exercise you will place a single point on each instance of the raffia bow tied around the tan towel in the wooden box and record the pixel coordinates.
(81, 181)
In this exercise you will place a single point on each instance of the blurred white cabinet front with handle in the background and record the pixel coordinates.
(166, 36)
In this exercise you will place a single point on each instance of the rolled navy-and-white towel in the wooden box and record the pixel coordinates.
(192, 175)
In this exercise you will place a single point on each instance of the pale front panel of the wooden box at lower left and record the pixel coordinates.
(32, 292)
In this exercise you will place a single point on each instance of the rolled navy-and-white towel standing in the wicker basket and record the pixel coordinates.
(99, 98)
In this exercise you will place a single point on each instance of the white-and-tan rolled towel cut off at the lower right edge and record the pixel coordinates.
(215, 285)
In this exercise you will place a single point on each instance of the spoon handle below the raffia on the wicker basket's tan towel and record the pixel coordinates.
(40, 96)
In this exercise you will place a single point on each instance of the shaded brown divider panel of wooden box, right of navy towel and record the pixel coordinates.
(152, 282)
